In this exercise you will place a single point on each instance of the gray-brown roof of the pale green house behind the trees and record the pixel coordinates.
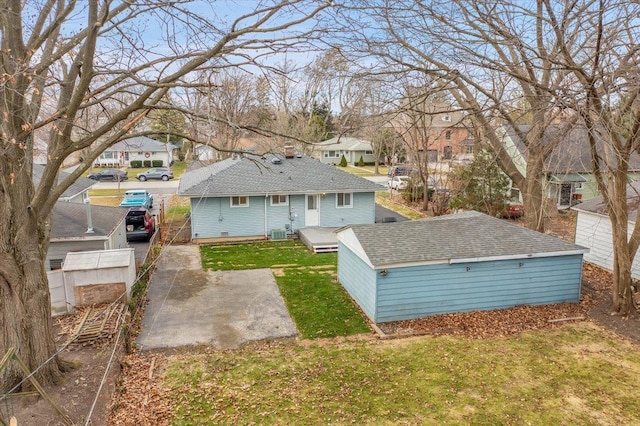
(572, 153)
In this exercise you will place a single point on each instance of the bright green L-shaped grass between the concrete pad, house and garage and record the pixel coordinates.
(317, 303)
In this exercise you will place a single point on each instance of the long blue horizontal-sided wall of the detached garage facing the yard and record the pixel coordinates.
(420, 291)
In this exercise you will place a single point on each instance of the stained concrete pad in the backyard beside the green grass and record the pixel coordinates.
(223, 309)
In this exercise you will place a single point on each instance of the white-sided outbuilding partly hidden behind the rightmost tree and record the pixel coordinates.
(593, 229)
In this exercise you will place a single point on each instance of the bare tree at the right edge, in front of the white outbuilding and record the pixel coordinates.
(607, 98)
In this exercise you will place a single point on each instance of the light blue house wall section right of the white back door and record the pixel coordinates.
(361, 211)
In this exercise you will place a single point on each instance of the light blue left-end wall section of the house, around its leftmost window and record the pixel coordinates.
(212, 217)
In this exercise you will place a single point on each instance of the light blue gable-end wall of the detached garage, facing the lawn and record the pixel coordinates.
(358, 279)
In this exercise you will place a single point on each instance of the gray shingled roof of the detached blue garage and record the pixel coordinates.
(467, 235)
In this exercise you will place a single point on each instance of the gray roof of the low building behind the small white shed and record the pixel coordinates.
(69, 221)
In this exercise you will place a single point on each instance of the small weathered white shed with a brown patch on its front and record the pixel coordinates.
(101, 276)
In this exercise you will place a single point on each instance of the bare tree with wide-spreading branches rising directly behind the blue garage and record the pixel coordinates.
(482, 53)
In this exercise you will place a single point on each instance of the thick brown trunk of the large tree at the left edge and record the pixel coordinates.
(25, 306)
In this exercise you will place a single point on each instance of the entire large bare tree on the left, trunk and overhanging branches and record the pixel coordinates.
(62, 59)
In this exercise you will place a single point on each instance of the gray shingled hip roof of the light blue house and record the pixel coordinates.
(253, 175)
